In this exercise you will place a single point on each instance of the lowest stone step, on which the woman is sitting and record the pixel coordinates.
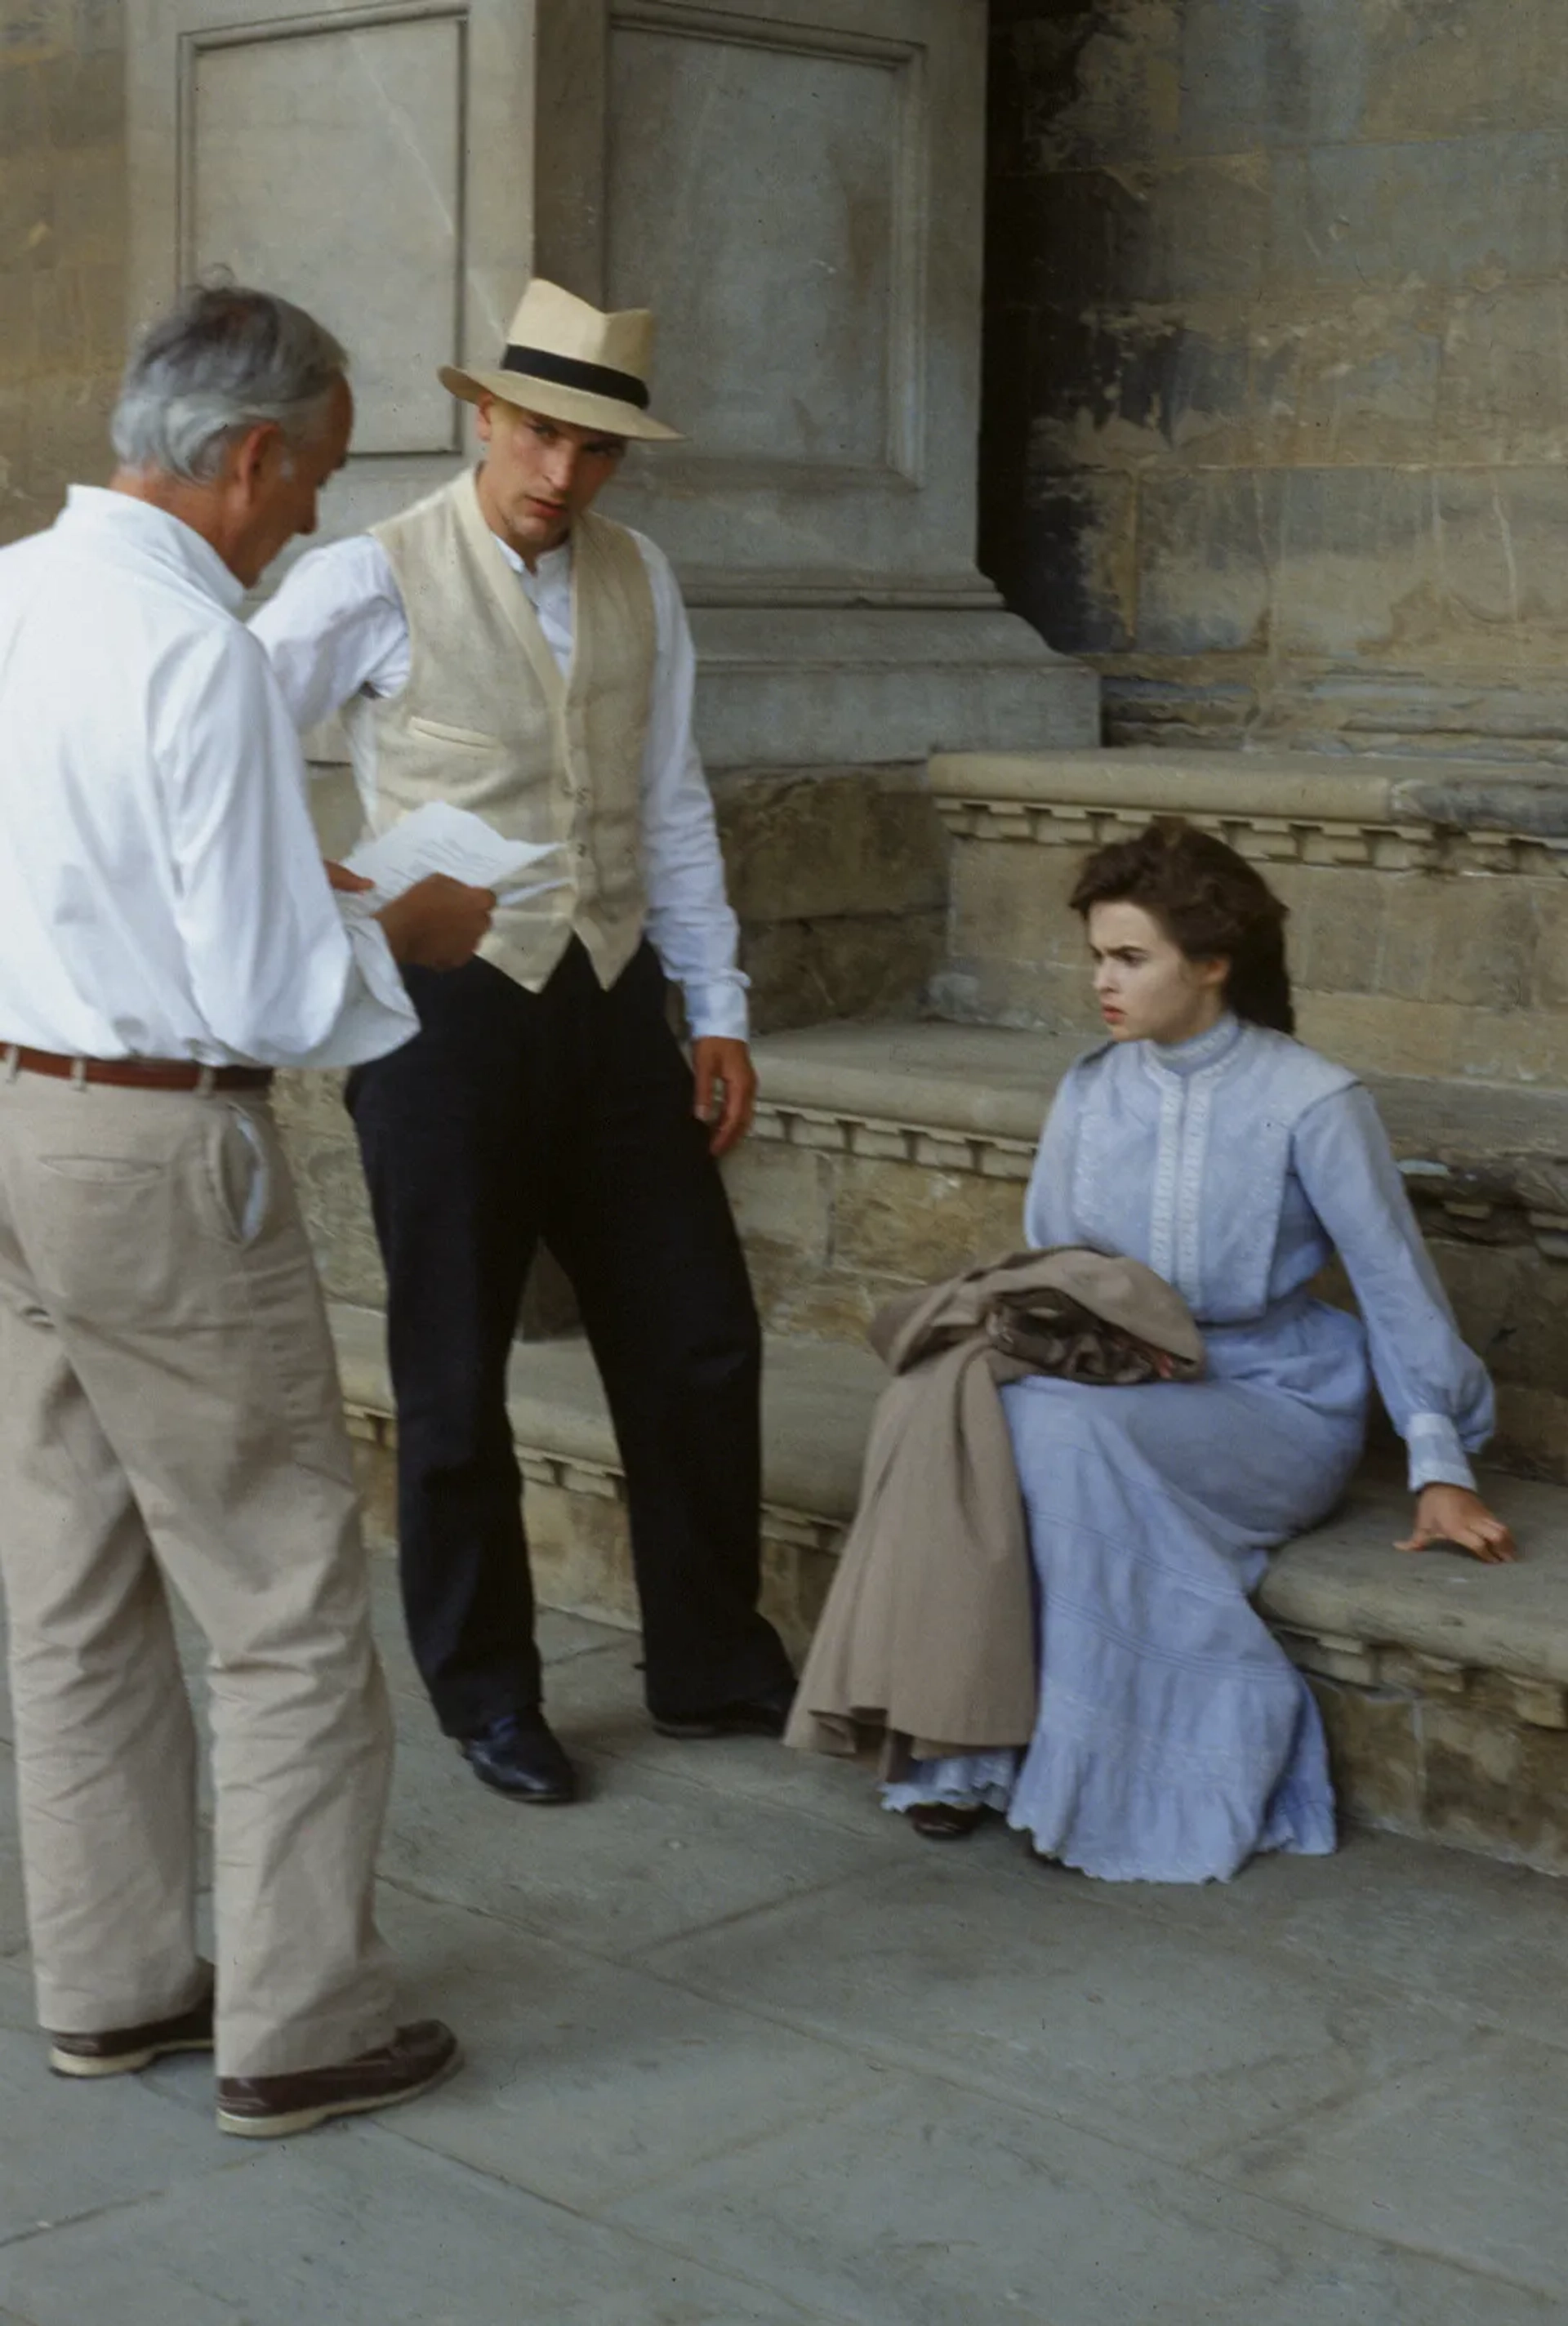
(1444, 1685)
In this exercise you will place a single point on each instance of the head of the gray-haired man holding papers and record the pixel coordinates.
(231, 415)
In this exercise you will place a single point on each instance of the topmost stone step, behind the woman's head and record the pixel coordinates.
(1430, 918)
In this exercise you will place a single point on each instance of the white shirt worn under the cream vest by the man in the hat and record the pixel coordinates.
(336, 629)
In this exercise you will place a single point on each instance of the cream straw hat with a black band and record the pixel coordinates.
(573, 364)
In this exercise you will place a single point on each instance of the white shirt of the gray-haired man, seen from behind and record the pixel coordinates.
(162, 890)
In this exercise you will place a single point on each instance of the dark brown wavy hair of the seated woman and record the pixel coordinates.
(1209, 901)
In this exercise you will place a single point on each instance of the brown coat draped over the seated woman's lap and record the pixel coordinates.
(929, 1625)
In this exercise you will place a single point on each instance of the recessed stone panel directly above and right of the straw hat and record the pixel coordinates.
(753, 204)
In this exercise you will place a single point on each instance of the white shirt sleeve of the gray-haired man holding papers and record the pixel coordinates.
(276, 971)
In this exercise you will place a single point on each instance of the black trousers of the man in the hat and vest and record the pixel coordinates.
(564, 1115)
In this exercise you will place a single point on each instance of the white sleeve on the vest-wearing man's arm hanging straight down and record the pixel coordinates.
(690, 918)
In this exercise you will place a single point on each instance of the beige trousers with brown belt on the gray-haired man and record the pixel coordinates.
(171, 1418)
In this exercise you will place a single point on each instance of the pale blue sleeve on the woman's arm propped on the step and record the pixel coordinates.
(1434, 1387)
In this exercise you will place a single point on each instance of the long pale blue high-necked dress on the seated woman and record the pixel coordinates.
(1174, 1736)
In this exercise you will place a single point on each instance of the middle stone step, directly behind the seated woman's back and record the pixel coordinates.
(892, 1155)
